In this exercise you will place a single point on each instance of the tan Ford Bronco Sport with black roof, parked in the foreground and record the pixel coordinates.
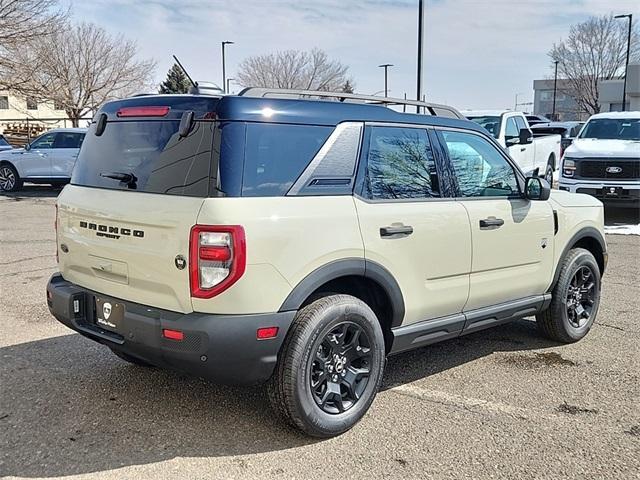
(298, 242)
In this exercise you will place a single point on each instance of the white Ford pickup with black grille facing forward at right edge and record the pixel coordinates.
(604, 160)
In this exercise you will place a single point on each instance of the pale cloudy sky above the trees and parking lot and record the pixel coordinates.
(477, 53)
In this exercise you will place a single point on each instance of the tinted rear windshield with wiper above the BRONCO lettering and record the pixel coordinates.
(147, 156)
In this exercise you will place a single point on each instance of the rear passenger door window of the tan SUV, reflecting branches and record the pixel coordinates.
(400, 164)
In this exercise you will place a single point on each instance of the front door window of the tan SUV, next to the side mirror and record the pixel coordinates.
(480, 169)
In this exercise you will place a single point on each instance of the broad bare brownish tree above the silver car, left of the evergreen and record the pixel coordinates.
(79, 68)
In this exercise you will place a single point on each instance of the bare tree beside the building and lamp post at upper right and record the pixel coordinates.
(594, 50)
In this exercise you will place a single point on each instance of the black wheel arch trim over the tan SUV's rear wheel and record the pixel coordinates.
(348, 267)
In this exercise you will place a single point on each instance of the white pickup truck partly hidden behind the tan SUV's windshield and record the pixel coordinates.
(512, 131)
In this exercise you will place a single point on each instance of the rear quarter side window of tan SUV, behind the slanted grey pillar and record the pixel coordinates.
(276, 155)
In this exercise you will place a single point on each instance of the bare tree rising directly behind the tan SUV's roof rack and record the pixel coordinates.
(294, 69)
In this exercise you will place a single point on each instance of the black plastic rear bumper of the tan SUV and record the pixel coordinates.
(222, 348)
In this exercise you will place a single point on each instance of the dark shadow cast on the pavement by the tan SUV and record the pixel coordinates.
(68, 406)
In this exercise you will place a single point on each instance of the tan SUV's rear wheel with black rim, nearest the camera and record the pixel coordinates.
(330, 366)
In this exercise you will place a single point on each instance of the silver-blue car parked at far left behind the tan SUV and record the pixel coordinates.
(47, 159)
